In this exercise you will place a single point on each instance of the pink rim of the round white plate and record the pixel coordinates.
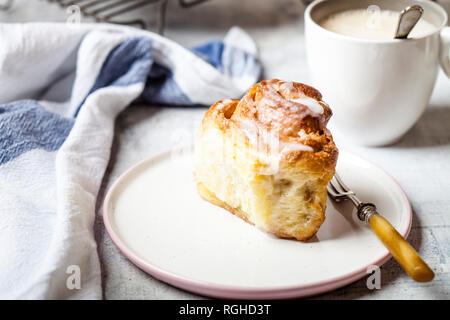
(238, 292)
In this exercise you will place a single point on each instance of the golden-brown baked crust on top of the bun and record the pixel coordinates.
(284, 121)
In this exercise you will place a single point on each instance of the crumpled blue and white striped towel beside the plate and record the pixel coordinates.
(61, 87)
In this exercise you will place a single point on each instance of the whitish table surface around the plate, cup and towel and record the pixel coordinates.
(420, 162)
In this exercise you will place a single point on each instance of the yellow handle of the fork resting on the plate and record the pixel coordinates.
(401, 250)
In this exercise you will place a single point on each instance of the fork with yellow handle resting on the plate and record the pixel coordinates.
(402, 251)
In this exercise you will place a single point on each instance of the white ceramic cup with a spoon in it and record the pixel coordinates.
(376, 89)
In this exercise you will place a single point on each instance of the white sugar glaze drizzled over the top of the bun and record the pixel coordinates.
(272, 120)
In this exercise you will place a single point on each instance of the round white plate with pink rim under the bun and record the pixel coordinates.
(155, 216)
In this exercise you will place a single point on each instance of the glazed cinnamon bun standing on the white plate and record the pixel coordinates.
(268, 157)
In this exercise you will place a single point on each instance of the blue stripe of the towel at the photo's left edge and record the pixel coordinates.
(26, 125)
